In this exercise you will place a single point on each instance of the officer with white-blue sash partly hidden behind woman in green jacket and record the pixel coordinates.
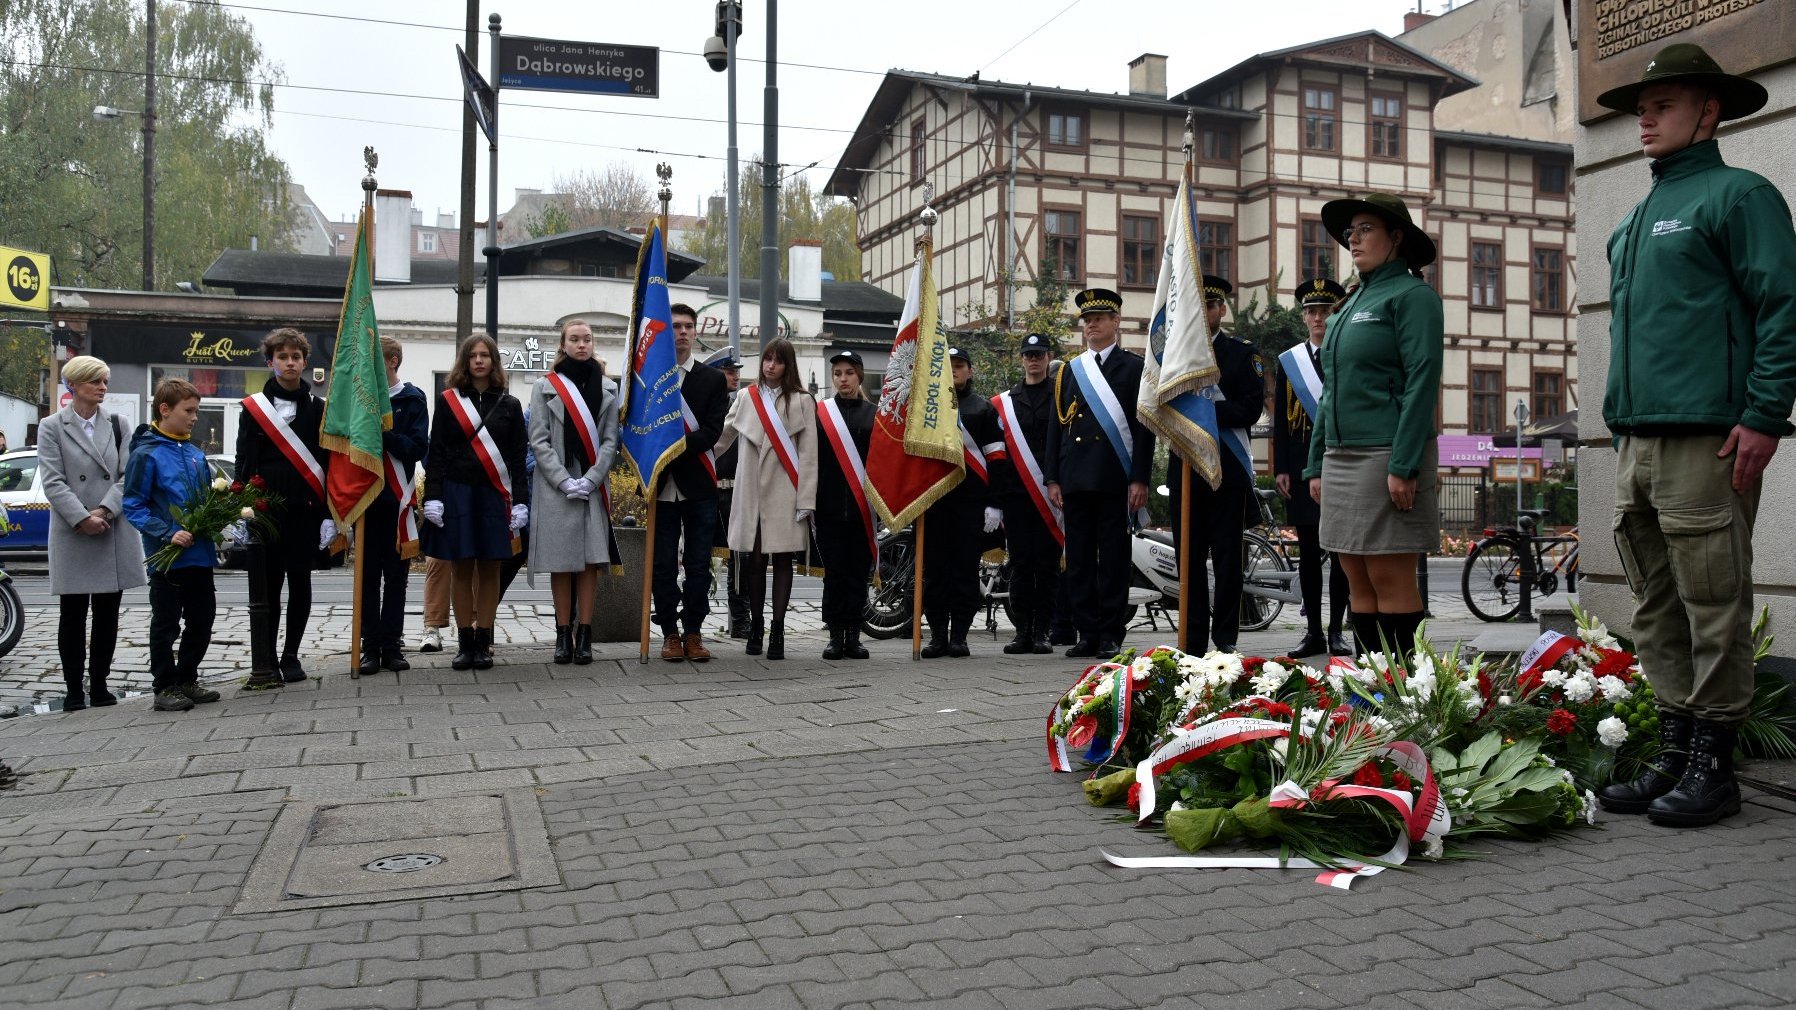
(1290, 454)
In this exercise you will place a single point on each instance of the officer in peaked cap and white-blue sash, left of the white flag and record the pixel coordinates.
(1086, 474)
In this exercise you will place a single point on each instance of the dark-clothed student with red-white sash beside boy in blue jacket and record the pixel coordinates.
(277, 439)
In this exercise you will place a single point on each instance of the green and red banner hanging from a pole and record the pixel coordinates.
(357, 405)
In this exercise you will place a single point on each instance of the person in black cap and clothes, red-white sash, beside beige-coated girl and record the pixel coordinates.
(845, 518)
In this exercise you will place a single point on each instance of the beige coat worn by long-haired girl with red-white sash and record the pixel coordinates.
(766, 502)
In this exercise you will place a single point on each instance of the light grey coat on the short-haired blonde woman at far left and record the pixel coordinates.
(82, 475)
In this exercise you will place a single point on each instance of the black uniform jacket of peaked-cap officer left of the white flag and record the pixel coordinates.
(1078, 452)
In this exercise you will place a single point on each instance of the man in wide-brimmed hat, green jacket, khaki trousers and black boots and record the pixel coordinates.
(1702, 378)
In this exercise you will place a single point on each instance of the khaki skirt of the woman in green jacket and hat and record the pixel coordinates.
(1357, 511)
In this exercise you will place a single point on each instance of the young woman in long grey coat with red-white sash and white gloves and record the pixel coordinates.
(574, 434)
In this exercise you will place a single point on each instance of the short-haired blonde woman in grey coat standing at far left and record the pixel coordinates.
(94, 556)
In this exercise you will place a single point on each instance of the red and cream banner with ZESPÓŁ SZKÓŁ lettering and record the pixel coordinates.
(917, 454)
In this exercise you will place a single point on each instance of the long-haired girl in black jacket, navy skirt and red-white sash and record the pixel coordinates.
(477, 492)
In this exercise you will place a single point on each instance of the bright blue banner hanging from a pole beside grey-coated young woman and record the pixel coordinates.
(653, 421)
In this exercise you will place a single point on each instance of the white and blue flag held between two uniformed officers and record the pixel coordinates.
(1179, 377)
